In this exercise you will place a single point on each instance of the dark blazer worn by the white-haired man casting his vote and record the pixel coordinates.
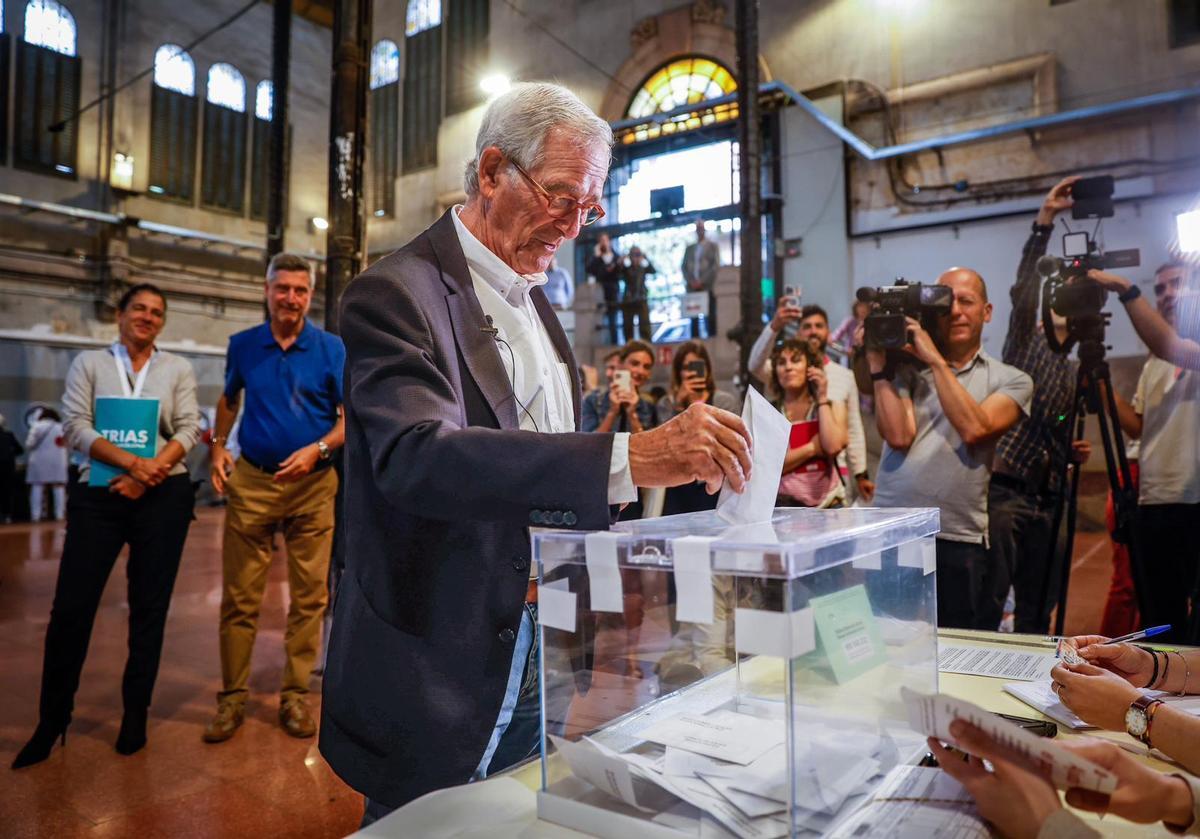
(441, 489)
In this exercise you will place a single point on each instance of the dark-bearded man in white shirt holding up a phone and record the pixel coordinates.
(814, 329)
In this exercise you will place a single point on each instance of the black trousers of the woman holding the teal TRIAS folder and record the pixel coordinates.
(100, 524)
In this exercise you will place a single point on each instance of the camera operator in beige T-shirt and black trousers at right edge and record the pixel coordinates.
(1166, 417)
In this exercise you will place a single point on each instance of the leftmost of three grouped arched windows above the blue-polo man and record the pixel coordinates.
(173, 111)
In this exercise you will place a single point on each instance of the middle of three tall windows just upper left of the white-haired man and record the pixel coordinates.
(423, 86)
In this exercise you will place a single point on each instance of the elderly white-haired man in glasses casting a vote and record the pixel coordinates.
(463, 403)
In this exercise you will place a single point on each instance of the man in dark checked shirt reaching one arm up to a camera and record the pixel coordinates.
(1030, 459)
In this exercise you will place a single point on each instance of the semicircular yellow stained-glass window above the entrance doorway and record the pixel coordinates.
(691, 81)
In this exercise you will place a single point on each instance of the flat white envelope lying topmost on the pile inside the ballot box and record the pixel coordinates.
(725, 735)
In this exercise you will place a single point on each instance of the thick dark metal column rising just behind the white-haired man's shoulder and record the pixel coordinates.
(347, 143)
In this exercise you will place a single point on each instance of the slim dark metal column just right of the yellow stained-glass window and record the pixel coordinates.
(751, 154)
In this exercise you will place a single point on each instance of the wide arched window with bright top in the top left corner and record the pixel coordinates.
(47, 91)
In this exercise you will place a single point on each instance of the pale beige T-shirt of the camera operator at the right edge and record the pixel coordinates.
(1169, 403)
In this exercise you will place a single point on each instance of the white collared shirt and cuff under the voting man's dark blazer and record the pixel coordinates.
(539, 377)
